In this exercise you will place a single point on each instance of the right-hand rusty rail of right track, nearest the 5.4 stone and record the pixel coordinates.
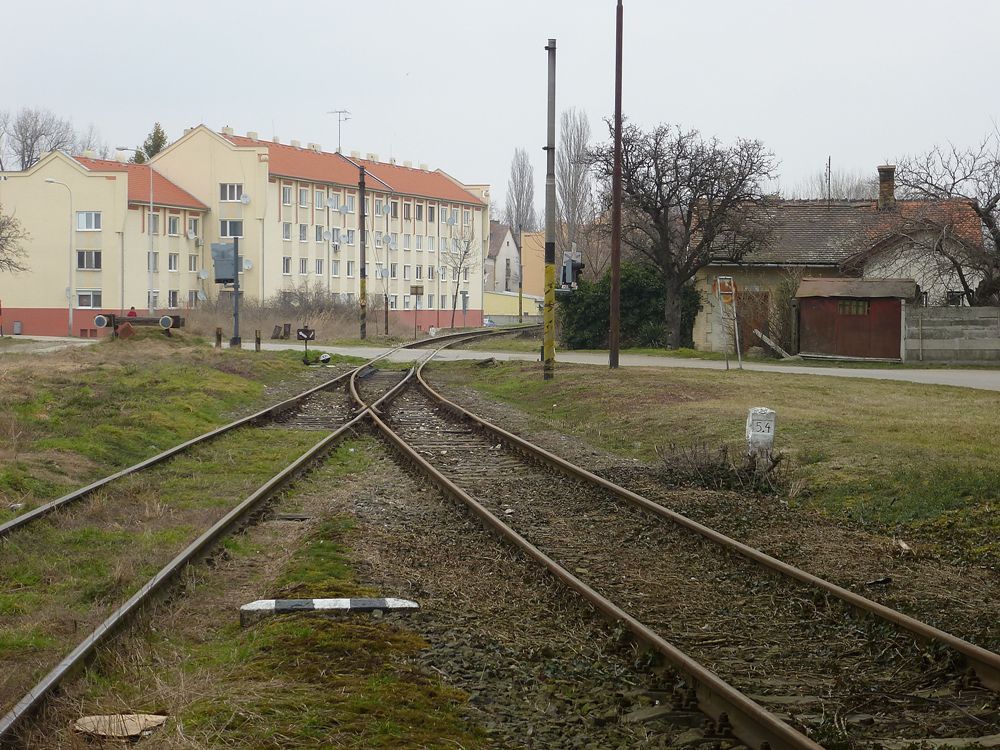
(985, 663)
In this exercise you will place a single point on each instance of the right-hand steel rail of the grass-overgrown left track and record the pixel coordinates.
(10, 722)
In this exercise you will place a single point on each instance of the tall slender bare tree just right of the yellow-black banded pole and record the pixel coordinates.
(575, 202)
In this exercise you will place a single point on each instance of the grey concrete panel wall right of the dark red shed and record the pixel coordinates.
(952, 334)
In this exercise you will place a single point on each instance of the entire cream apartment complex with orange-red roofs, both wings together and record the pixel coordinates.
(294, 208)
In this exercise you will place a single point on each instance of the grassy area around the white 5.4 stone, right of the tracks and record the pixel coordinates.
(895, 455)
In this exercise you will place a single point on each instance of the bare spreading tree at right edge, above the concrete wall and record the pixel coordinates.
(951, 176)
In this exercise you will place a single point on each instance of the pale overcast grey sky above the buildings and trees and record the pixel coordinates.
(459, 85)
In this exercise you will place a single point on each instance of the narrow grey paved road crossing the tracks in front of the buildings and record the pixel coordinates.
(988, 380)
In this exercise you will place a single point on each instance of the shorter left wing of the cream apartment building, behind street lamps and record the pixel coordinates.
(88, 250)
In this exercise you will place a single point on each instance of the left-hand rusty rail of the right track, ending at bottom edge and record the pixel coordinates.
(730, 708)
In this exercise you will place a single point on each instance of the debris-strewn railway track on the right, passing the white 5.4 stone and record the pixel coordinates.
(769, 652)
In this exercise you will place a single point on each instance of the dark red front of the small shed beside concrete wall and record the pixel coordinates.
(850, 327)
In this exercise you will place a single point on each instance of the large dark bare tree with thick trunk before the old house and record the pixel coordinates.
(687, 200)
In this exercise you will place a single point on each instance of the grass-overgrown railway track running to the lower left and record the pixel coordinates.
(318, 409)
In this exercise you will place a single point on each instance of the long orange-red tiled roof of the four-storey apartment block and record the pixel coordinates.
(324, 166)
